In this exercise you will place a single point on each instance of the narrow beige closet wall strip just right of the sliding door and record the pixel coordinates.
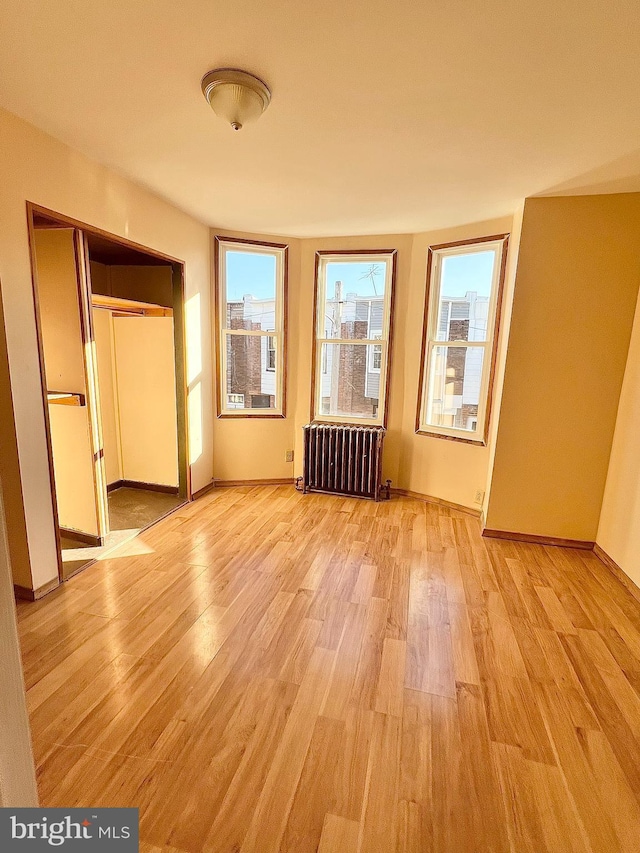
(103, 335)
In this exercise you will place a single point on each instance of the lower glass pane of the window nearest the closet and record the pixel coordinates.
(250, 382)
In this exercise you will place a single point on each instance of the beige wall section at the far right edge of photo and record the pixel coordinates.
(619, 528)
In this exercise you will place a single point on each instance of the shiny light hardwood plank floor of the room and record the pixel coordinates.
(265, 671)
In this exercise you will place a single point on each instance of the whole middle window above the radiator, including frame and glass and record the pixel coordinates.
(354, 294)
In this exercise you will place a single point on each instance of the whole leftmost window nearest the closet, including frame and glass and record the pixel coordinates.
(251, 295)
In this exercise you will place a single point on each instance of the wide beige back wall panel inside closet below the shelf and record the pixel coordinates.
(146, 389)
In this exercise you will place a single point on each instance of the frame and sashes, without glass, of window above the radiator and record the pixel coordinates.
(388, 258)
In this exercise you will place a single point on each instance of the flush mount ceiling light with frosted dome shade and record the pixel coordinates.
(236, 96)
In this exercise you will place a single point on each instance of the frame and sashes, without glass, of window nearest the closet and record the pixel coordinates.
(278, 334)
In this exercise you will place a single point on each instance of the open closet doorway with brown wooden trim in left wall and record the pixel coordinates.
(111, 338)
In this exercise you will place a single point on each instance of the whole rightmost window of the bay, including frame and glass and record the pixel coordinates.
(464, 287)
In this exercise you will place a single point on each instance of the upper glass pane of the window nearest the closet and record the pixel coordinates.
(251, 290)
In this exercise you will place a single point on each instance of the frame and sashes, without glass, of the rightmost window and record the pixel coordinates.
(497, 244)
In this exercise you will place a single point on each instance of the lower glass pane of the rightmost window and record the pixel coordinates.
(454, 392)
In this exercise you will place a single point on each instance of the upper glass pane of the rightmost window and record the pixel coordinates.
(465, 293)
